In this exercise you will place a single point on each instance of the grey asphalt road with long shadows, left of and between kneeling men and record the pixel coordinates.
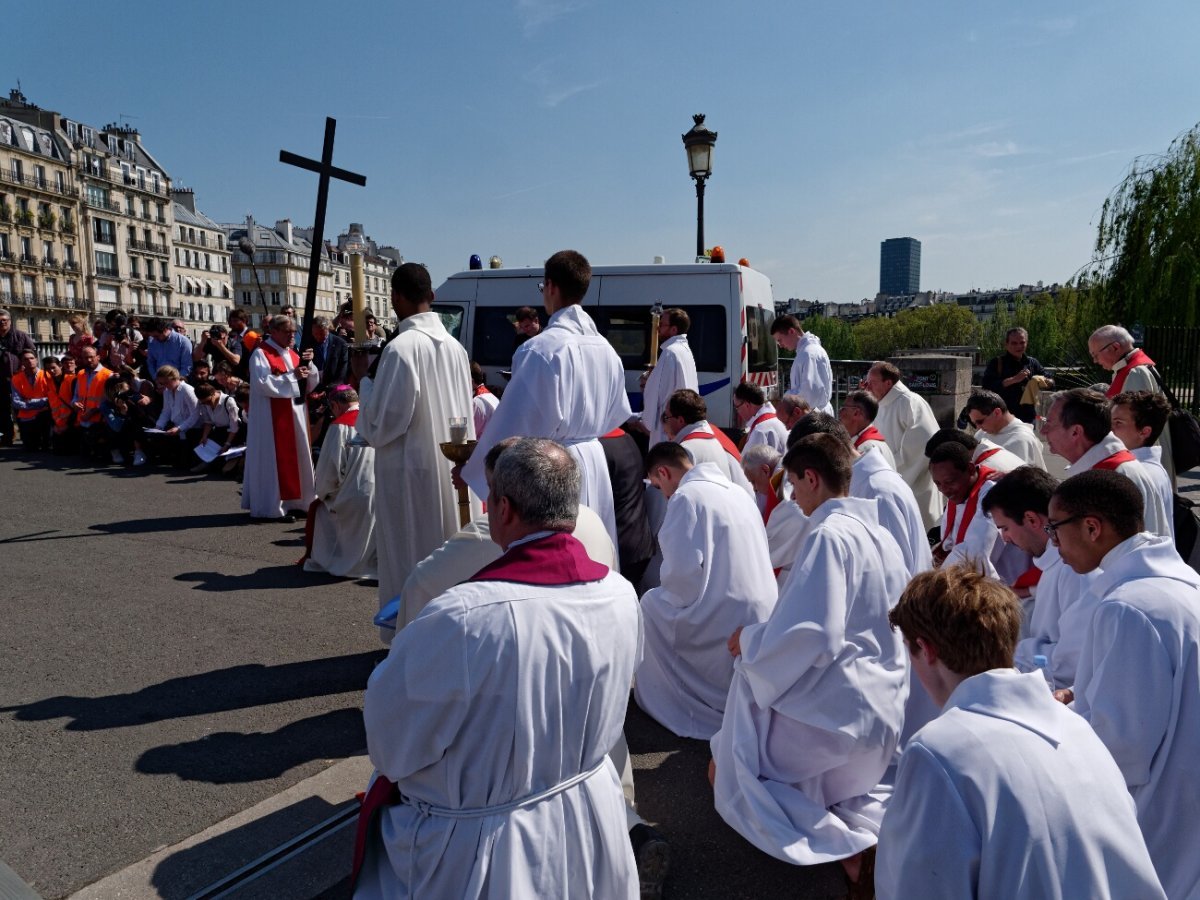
(165, 665)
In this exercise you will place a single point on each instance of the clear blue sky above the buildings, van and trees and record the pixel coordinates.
(991, 131)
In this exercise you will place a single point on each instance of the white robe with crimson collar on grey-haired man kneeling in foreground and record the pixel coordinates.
(494, 713)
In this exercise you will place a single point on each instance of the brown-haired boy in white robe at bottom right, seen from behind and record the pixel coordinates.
(1006, 794)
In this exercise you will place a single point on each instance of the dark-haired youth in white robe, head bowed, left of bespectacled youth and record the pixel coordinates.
(1019, 505)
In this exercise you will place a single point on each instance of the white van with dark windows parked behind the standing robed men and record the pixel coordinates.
(731, 310)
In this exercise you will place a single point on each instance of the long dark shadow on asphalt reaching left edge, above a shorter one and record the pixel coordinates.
(219, 692)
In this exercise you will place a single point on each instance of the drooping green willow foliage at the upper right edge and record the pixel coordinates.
(1148, 250)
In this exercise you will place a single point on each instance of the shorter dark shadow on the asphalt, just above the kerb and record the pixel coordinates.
(232, 758)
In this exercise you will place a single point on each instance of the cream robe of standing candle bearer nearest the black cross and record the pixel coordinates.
(423, 381)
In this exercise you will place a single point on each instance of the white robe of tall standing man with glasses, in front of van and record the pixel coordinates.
(569, 386)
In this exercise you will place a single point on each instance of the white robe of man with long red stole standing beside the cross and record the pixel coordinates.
(261, 483)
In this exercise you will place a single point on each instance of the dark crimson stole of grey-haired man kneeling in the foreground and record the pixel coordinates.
(556, 561)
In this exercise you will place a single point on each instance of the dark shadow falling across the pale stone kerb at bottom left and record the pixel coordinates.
(190, 872)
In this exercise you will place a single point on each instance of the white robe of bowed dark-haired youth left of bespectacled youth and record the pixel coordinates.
(1063, 611)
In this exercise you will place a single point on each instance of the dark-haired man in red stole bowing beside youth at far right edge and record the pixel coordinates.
(1079, 429)
